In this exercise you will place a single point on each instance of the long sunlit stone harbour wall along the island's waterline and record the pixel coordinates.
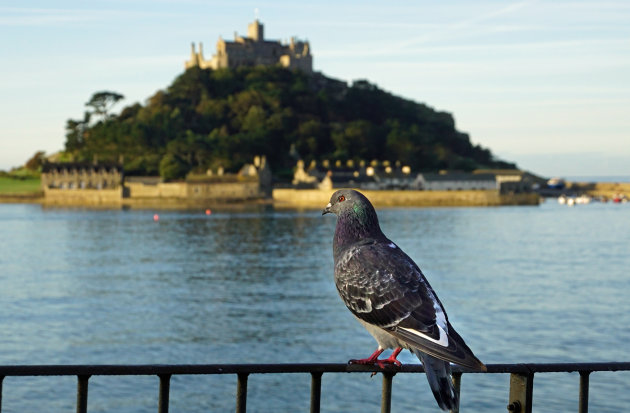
(178, 195)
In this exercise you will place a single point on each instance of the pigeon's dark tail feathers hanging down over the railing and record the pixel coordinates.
(439, 376)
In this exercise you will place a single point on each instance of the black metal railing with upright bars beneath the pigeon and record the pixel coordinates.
(520, 396)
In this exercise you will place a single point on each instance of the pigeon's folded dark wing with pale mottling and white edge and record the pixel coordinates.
(381, 285)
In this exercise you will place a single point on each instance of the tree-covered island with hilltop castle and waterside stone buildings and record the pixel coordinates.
(256, 120)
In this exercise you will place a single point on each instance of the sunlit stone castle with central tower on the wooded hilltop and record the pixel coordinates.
(254, 50)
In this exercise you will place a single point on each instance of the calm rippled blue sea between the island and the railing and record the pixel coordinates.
(520, 284)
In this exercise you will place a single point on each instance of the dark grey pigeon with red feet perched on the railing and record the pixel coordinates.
(388, 294)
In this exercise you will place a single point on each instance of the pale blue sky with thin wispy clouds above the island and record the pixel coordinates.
(545, 84)
